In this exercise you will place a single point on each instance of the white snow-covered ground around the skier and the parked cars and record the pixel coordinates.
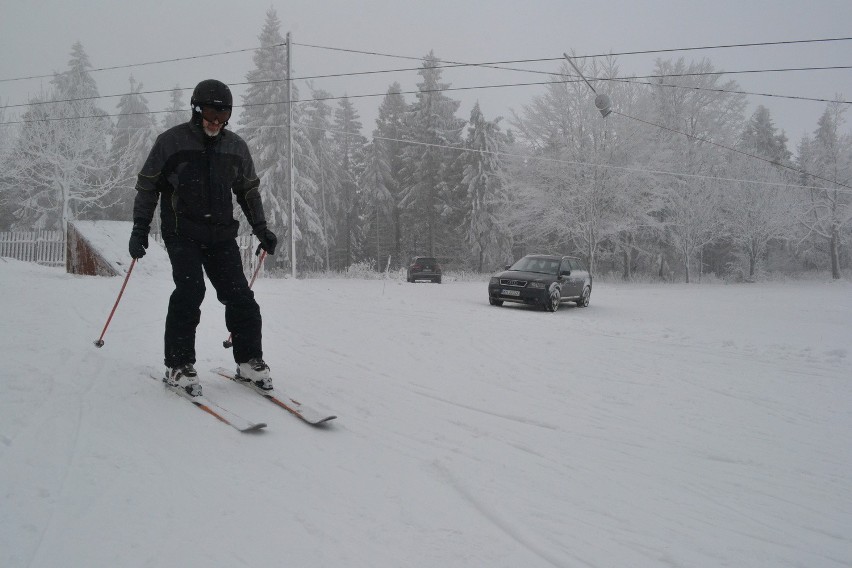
(665, 425)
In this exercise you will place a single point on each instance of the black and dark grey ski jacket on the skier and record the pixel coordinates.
(193, 176)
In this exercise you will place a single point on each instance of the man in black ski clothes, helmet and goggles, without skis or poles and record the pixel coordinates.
(192, 170)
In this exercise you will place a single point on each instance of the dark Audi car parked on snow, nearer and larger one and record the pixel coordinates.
(542, 279)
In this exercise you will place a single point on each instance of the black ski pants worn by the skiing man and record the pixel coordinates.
(223, 265)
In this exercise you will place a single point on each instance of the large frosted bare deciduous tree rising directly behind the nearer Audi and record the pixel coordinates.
(573, 194)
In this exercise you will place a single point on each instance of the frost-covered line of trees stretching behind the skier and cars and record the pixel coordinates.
(675, 183)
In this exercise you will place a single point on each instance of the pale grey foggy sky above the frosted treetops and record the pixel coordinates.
(36, 38)
